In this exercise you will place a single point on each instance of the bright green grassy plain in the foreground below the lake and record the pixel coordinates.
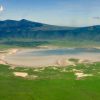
(51, 83)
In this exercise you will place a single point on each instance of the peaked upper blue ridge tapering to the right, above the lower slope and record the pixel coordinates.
(30, 25)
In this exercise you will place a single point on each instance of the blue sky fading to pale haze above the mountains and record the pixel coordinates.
(54, 12)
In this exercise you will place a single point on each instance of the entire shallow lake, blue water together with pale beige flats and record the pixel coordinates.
(47, 57)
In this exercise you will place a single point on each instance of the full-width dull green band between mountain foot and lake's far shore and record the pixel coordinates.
(6, 44)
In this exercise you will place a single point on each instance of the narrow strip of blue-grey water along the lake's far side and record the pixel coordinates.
(65, 51)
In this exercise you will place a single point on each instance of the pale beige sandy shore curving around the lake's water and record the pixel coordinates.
(45, 61)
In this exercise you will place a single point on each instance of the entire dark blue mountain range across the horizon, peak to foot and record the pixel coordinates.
(24, 29)
